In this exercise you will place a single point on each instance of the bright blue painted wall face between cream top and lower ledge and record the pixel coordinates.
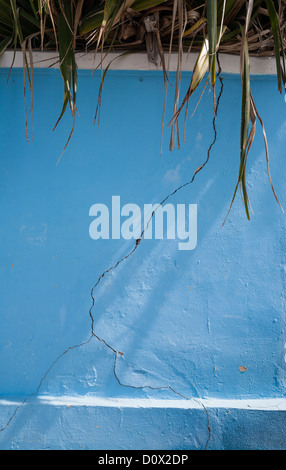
(186, 320)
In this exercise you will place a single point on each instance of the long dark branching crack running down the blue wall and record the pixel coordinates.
(113, 267)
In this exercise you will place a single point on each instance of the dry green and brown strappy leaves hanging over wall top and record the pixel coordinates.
(158, 27)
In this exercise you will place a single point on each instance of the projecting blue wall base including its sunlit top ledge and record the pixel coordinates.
(84, 423)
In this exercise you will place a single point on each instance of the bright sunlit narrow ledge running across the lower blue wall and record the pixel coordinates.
(263, 404)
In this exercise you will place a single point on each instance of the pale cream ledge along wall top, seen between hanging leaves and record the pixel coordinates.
(139, 61)
